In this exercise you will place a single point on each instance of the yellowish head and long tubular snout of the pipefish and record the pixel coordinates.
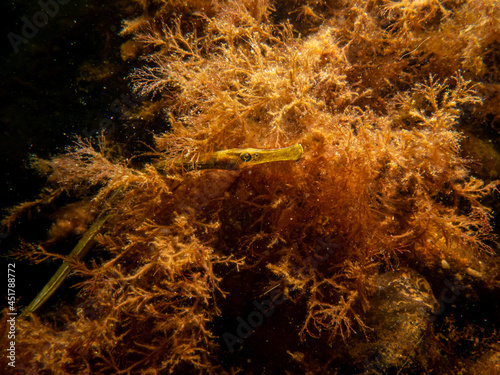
(237, 158)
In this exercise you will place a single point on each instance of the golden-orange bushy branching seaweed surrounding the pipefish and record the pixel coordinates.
(380, 207)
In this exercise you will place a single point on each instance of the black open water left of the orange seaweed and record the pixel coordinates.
(47, 98)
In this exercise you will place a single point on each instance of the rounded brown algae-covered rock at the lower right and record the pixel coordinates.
(399, 318)
